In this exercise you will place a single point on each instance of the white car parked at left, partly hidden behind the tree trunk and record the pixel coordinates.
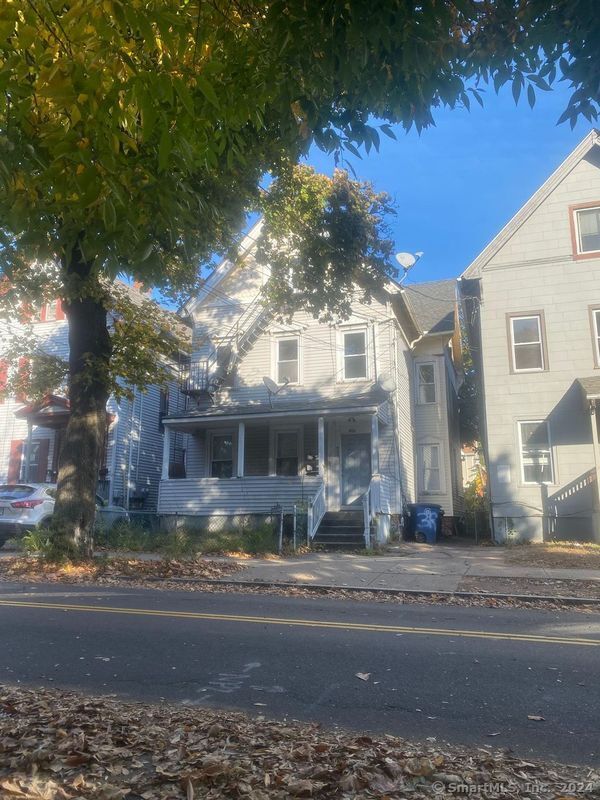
(24, 506)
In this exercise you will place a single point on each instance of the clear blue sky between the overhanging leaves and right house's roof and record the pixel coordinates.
(457, 184)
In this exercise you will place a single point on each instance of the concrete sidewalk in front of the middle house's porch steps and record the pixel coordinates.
(412, 566)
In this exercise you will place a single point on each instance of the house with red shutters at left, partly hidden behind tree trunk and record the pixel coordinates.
(31, 433)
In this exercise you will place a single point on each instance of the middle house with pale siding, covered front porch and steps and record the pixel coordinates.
(339, 419)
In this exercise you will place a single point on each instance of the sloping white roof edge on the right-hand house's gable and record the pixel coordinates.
(583, 148)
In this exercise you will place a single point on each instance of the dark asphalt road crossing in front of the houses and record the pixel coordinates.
(466, 675)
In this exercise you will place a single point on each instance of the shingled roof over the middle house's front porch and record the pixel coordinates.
(372, 402)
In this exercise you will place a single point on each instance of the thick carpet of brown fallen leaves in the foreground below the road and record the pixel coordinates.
(65, 746)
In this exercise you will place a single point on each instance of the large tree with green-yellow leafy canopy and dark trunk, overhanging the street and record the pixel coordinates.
(135, 134)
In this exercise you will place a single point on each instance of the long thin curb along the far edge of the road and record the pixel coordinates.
(323, 587)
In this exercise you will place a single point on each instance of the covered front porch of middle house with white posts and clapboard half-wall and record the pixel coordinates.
(248, 463)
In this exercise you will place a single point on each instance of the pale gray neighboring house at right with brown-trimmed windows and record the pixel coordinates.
(532, 301)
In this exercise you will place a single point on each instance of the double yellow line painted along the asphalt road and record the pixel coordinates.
(308, 623)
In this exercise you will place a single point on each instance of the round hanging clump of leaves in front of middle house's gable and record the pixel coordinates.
(321, 238)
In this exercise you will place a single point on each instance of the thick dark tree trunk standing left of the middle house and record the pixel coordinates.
(81, 453)
